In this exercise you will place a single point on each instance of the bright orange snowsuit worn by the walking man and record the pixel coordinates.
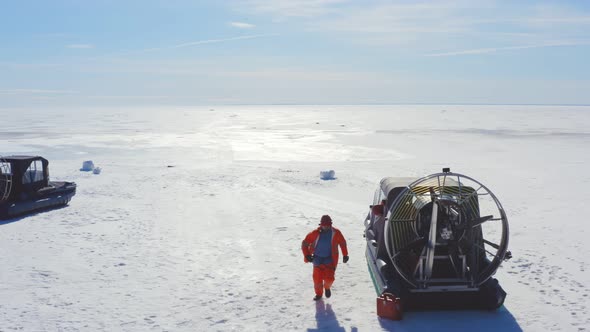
(323, 275)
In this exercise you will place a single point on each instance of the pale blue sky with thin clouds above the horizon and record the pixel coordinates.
(96, 53)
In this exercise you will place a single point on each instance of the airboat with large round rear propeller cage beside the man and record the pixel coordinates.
(436, 242)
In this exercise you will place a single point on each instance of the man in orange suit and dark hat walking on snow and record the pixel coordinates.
(320, 247)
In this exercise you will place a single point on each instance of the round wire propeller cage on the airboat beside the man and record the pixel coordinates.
(446, 230)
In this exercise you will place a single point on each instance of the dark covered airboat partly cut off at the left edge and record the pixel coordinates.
(25, 186)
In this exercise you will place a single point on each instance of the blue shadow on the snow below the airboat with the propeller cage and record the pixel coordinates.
(453, 320)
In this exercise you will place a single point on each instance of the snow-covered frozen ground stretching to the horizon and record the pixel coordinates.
(196, 221)
